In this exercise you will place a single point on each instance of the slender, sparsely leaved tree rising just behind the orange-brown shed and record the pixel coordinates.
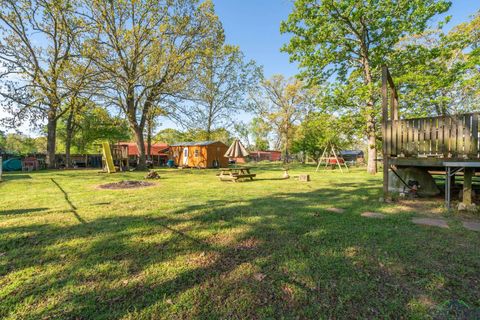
(218, 91)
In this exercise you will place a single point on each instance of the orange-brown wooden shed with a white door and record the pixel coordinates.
(201, 154)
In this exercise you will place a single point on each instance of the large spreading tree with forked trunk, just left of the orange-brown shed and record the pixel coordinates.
(145, 50)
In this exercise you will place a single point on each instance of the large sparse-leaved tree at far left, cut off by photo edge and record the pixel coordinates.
(38, 45)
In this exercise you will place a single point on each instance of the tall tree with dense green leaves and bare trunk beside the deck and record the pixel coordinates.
(350, 40)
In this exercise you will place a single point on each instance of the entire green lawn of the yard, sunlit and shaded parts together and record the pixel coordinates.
(194, 247)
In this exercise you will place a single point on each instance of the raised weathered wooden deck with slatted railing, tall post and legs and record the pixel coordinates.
(447, 144)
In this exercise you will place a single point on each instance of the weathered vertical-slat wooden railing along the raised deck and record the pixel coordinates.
(453, 136)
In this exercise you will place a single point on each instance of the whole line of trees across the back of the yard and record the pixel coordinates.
(112, 70)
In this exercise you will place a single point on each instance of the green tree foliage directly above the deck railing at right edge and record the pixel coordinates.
(438, 73)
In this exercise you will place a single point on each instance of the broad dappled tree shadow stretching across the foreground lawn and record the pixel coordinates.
(267, 257)
